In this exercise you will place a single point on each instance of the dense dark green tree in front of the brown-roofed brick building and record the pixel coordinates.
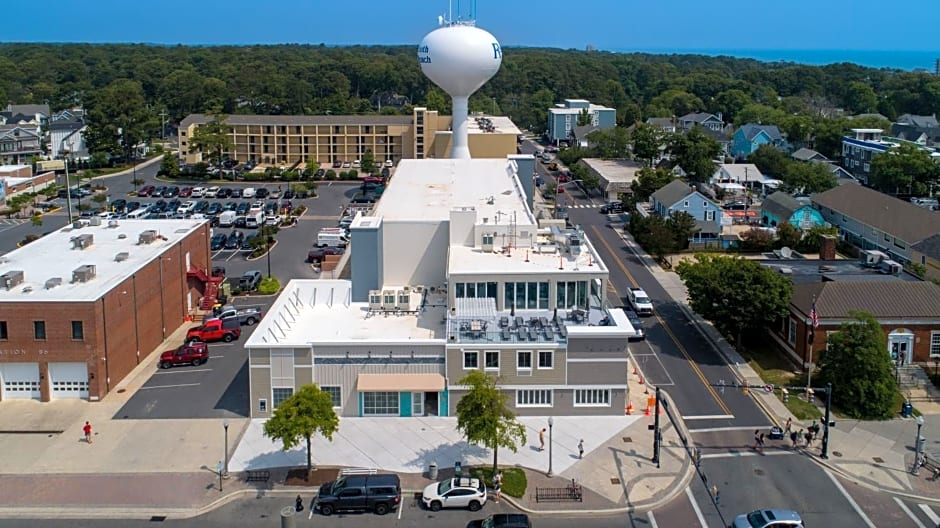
(857, 363)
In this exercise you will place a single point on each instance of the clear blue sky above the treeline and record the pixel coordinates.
(606, 24)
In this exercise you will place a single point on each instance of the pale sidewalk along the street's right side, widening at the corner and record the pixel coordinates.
(879, 455)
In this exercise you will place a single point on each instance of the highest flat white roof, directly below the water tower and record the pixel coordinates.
(428, 189)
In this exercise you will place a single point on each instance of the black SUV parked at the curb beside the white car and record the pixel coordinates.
(378, 493)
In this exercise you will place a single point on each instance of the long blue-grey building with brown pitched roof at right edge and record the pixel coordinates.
(873, 220)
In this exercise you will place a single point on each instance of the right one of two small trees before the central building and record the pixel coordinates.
(483, 416)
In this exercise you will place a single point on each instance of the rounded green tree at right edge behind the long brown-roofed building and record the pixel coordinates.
(906, 168)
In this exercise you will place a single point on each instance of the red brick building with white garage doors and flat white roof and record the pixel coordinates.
(84, 305)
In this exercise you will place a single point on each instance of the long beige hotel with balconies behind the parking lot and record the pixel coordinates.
(284, 140)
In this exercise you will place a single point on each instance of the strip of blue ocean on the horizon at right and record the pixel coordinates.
(901, 60)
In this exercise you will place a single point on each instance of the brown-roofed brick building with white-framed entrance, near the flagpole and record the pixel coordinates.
(908, 311)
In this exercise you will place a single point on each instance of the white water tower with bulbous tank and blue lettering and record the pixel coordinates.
(459, 57)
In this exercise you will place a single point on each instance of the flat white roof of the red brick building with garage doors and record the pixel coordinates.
(53, 256)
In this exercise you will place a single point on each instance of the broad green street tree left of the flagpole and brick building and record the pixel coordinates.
(737, 295)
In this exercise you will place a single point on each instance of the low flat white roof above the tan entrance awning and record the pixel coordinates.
(311, 311)
